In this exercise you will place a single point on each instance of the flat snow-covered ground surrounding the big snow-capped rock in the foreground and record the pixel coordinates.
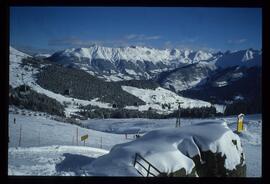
(49, 147)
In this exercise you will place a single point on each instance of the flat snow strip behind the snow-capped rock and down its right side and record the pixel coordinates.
(250, 138)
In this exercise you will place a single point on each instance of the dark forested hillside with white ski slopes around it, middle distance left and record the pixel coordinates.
(50, 80)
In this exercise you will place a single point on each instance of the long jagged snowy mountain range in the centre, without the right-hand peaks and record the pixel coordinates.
(127, 63)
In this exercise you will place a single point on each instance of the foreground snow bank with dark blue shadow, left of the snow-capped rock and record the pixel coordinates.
(51, 160)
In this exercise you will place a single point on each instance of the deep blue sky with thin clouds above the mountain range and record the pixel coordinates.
(54, 28)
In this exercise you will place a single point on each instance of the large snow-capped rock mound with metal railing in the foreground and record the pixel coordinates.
(172, 150)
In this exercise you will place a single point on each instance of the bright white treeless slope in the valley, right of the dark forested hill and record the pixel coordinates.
(155, 99)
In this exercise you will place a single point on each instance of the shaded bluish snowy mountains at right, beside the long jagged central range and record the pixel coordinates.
(191, 76)
